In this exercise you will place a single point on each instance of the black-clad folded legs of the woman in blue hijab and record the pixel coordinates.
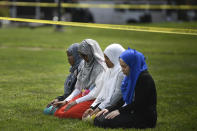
(123, 121)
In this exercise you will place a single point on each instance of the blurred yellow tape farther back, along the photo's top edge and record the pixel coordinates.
(119, 6)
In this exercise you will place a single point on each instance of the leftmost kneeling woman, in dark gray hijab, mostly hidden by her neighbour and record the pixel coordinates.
(74, 60)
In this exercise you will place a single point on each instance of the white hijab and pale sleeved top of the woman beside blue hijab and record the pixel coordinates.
(112, 77)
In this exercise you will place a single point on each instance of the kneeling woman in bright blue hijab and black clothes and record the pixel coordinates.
(137, 108)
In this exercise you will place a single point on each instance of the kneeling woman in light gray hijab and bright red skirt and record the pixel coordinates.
(92, 69)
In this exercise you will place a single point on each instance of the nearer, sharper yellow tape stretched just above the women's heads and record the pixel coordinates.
(108, 26)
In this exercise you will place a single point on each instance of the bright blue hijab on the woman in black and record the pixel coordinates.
(136, 62)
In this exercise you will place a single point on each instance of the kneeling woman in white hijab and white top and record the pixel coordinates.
(110, 92)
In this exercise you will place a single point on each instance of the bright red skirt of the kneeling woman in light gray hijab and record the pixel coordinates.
(76, 111)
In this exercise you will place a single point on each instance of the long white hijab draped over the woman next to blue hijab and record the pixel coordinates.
(109, 80)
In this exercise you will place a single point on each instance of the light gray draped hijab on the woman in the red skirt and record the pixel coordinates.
(94, 66)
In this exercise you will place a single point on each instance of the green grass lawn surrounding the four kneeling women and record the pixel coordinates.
(33, 66)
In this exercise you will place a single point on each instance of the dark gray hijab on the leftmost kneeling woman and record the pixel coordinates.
(73, 50)
